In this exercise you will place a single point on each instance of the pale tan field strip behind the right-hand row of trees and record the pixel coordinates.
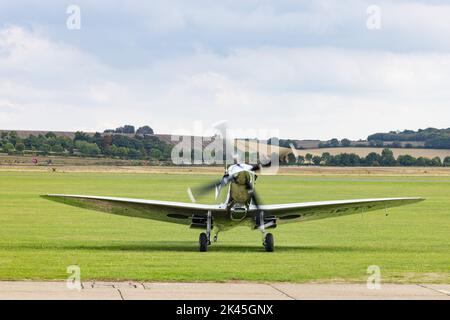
(429, 153)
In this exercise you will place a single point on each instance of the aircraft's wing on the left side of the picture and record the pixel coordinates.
(168, 211)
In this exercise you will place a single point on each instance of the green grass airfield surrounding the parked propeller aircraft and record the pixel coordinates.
(39, 238)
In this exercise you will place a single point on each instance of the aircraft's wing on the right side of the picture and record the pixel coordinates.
(296, 212)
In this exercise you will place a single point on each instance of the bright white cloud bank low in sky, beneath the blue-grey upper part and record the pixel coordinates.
(303, 92)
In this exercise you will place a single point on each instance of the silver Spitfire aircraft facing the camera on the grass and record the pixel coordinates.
(241, 207)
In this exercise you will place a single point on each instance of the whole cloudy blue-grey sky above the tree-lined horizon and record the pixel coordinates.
(308, 69)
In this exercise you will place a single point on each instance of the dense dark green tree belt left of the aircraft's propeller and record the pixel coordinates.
(137, 146)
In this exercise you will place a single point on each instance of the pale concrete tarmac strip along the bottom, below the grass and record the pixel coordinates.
(25, 290)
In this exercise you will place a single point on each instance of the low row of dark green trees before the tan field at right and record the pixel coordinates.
(373, 159)
